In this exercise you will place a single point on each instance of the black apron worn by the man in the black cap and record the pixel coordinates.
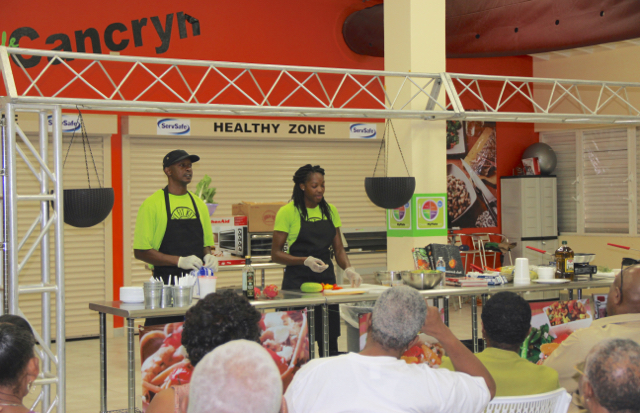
(183, 237)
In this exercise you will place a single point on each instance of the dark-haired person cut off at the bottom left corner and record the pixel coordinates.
(18, 366)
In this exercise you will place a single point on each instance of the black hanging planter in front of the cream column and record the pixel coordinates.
(389, 192)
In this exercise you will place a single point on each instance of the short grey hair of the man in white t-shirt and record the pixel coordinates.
(397, 317)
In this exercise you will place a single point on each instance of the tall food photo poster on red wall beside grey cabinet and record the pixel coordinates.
(471, 174)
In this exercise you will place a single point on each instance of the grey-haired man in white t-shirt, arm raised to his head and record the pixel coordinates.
(376, 380)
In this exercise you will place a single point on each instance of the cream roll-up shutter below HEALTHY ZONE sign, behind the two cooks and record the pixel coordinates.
(260, 171)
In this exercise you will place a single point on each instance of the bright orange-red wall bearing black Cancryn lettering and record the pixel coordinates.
(288, 32)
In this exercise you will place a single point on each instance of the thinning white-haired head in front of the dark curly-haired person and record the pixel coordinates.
(239, 376)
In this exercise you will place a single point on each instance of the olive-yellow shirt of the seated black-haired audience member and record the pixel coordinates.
(514, 376)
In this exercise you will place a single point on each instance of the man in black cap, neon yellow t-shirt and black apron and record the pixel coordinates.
(173, 231)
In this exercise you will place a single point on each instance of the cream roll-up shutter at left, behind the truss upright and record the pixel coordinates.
(86, 269)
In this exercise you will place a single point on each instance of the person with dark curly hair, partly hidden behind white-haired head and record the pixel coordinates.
(217, 319)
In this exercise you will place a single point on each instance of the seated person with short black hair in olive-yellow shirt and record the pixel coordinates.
(506, 323)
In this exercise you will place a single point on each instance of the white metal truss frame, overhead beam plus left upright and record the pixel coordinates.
(174, 86)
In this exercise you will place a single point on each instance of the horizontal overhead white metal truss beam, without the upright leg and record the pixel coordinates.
(144, 84)
